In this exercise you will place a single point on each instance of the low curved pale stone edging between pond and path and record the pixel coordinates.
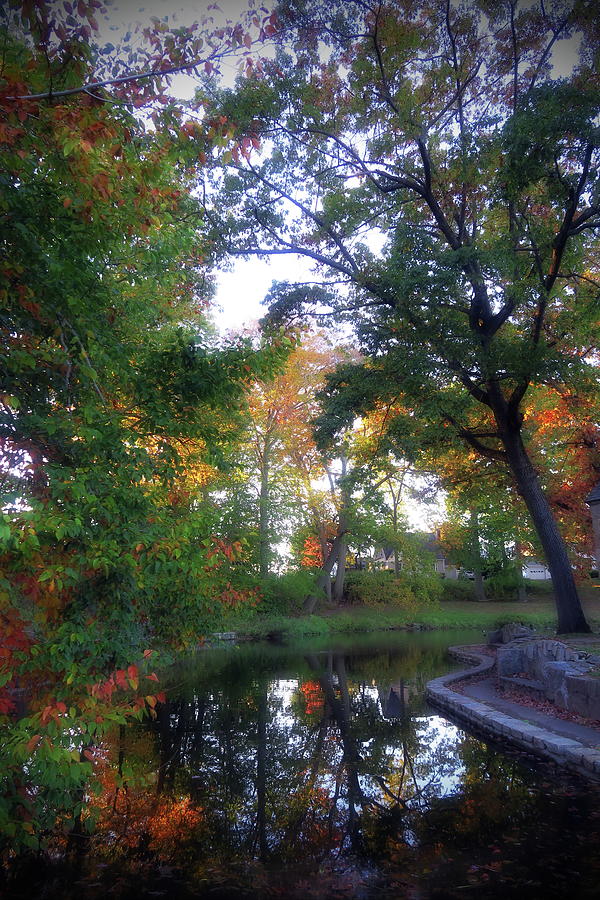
(566, 751)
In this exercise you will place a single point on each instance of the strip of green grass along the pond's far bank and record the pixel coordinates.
(452, 614)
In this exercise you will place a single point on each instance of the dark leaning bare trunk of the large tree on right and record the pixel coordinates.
(568, 607)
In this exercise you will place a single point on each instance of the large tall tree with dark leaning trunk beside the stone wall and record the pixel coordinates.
(448, 134)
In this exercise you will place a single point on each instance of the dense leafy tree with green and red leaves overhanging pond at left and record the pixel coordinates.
(116, 406)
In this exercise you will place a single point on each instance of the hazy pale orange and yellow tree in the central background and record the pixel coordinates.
(276, 468)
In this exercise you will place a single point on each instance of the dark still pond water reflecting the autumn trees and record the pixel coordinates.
(321, 773)
